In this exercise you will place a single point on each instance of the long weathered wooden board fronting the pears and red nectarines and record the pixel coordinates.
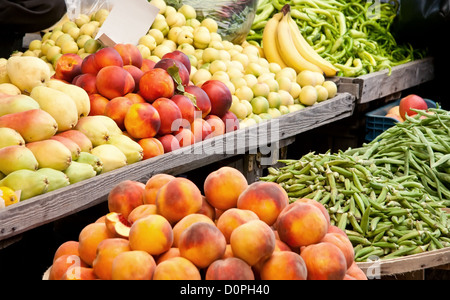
(55, 205)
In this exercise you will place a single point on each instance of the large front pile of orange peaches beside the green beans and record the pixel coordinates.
(166, 229)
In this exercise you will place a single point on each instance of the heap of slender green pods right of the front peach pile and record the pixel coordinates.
(387, 195)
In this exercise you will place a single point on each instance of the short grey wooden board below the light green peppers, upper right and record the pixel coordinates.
(378, 85)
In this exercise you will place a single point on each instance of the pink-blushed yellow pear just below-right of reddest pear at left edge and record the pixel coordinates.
(51, 154)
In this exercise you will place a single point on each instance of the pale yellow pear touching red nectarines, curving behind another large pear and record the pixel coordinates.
(79, 96)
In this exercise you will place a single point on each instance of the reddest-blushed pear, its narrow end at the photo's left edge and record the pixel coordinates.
(33, 125)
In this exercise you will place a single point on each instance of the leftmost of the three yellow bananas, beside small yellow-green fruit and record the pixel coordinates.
(270, 41)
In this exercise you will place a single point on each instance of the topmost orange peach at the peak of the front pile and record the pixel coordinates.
(224, 186)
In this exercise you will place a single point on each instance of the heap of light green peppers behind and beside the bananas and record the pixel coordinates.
(353, 35)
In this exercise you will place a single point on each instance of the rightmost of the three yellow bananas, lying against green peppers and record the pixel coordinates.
(307, 51)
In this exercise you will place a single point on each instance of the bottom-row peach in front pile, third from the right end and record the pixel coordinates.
(284, 265)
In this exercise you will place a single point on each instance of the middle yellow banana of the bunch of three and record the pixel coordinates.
(289, 52)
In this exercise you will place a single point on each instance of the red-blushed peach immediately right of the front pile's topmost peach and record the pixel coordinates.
(266, 199)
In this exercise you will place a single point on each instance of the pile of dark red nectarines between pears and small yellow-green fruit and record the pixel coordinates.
(152, 102)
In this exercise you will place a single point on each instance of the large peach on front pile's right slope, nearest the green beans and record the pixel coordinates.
(301, 224)
